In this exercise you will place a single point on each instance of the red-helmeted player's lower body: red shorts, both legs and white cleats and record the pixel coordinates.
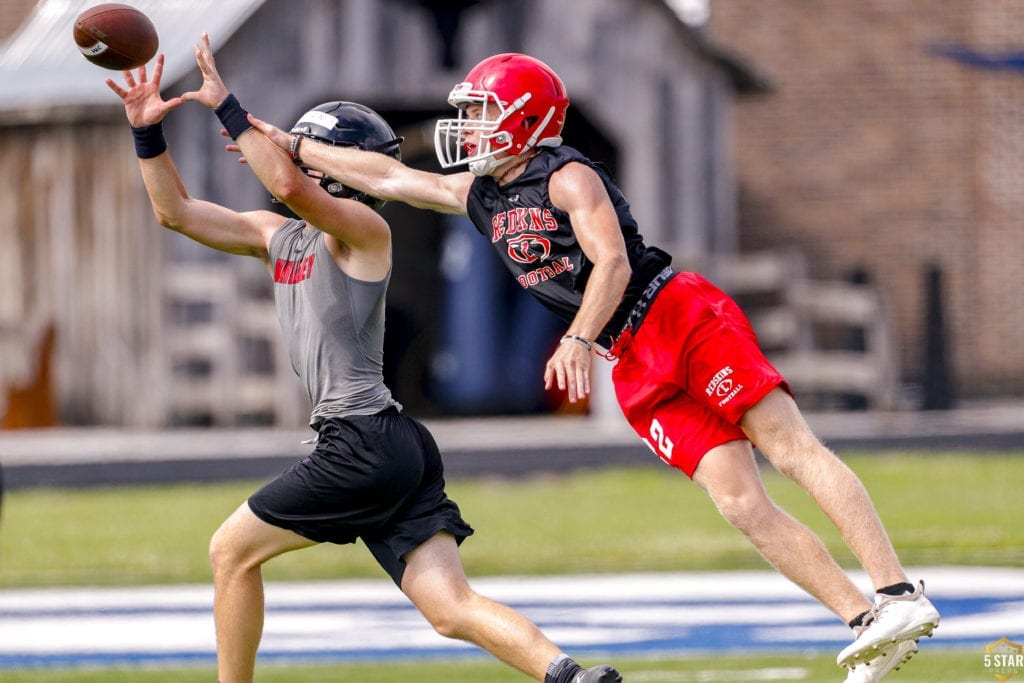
(686, 379)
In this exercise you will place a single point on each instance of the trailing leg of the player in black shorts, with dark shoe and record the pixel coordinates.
(437, 584)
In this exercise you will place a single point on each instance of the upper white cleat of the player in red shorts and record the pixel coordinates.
(893, 620)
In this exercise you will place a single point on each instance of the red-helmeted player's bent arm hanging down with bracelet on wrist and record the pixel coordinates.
(579, 191)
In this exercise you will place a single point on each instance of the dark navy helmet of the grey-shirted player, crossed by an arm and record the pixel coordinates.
(351, 125)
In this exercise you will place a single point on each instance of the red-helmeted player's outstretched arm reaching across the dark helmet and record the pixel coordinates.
(379, 177)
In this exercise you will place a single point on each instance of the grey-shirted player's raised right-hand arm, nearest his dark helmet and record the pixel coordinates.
(359, 237)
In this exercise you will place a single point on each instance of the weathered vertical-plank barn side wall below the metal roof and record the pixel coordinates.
(79, 254)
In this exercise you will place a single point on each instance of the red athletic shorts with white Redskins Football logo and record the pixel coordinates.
(686, 378)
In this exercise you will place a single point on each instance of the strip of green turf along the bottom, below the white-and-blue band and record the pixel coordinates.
(929, 667)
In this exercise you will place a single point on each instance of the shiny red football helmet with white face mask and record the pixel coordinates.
(523, 105)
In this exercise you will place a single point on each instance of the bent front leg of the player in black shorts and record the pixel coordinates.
(238, 550)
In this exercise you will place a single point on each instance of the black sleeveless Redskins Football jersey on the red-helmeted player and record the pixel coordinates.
(537, 244)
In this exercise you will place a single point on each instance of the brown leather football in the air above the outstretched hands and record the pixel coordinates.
(116, 36)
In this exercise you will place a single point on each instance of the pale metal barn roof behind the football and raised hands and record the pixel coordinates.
(42, 69)
